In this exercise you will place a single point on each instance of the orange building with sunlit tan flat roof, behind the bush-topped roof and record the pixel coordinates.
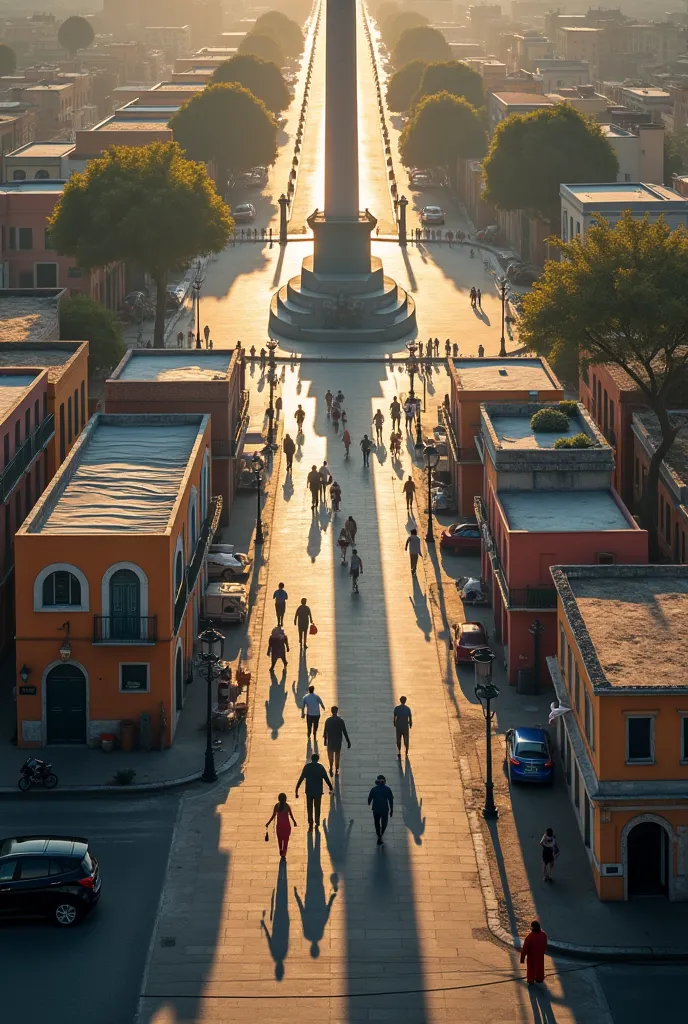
(477, 381)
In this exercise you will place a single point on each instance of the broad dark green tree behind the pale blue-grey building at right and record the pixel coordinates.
(533, 154)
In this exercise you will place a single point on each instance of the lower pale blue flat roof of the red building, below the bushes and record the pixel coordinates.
(563, 511)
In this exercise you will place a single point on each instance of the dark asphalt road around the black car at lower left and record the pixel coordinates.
(95, 971)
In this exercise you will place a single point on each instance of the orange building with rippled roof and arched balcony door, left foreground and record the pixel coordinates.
(110, 565)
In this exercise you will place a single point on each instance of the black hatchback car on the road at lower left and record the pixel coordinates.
(54, 877)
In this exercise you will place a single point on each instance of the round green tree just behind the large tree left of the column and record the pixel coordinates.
(229, 125)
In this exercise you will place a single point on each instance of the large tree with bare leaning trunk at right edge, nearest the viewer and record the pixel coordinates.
(621, 296)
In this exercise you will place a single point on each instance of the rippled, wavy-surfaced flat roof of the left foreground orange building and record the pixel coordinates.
(123, 477)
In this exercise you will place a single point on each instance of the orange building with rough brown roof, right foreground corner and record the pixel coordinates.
(622, 669)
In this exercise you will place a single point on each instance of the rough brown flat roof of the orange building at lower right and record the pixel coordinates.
(630, 622)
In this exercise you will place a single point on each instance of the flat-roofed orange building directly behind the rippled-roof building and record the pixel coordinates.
(180, 380)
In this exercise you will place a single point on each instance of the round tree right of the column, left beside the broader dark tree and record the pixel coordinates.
(443, 130)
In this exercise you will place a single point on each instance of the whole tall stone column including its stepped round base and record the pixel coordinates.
(342, 293)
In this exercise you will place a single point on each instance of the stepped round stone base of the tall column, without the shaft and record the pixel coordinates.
(342, 293)
